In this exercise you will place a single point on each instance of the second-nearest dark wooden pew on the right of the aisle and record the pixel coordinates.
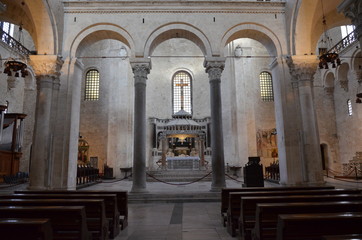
(266, 217)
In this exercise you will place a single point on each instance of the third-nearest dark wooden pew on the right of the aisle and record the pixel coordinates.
(249, 204)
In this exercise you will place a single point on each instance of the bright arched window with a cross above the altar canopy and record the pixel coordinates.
(181, 92)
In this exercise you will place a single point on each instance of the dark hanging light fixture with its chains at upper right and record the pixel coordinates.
(327, 57)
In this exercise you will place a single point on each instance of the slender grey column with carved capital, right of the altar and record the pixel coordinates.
(214, 68)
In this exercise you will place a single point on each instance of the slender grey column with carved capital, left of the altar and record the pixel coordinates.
(141, 68)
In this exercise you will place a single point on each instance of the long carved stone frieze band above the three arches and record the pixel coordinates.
(181, 7)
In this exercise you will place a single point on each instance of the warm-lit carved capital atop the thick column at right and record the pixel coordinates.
(302, 68)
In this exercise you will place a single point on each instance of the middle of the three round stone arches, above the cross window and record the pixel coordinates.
(177, 30)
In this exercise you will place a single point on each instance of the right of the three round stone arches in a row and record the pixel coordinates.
(256, 32)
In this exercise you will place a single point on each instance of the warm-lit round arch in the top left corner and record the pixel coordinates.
(37, 18)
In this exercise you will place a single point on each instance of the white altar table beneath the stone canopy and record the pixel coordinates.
(183, 163)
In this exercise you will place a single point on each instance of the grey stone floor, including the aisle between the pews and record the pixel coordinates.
(181, 220)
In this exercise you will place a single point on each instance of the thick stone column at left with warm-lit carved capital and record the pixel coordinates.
(47, 72)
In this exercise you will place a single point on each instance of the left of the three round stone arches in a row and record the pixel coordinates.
(99, 32)
